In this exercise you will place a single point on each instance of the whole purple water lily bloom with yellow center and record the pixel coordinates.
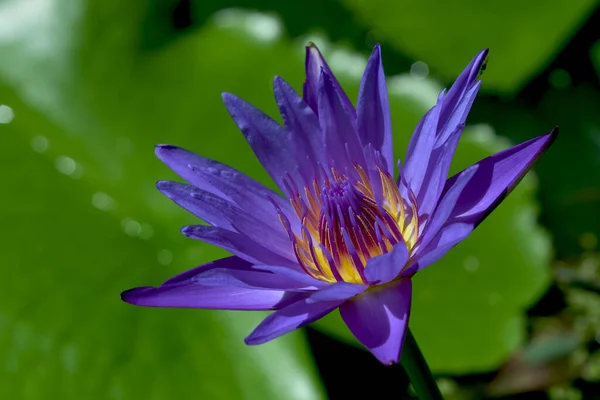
(347, 233)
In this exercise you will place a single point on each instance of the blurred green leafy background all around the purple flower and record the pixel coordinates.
(87, 88)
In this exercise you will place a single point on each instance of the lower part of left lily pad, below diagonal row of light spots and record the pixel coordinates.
(64, 333)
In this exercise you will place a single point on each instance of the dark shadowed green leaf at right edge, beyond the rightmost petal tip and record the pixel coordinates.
(569, 172)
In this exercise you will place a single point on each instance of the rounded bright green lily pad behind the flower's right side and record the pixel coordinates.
(468, 312)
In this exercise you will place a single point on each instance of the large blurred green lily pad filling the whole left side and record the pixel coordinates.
(83, 220)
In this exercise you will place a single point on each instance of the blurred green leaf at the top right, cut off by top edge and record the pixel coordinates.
(522, 37)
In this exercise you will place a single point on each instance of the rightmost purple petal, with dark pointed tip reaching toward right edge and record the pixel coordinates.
(481, 192)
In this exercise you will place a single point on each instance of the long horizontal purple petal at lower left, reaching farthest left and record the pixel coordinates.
(183, 291)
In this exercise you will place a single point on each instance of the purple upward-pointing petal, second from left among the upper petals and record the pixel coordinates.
(302, 128)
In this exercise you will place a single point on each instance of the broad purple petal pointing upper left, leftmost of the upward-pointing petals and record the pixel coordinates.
(265, 136)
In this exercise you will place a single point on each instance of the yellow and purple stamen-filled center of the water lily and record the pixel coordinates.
(343, 224)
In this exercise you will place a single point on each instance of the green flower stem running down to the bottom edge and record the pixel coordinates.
(416, 367)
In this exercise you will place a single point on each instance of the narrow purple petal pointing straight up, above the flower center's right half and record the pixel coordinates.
(373, 110)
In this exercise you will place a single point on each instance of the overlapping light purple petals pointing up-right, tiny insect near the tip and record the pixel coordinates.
(433, 144)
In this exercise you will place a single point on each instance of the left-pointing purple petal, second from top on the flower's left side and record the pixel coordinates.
(224, 214)
